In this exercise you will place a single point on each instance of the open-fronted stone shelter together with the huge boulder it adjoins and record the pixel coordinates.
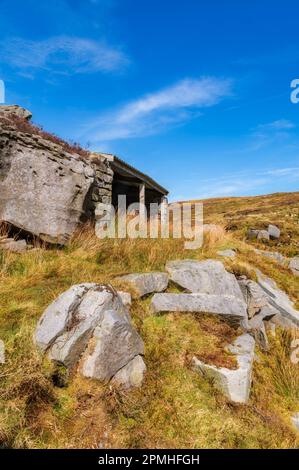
(48, 187)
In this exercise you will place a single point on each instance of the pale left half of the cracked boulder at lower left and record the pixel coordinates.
(68, 323)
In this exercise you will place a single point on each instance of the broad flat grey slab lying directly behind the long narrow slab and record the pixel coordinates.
(204, 277)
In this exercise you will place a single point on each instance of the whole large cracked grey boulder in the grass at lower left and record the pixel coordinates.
(90, 323)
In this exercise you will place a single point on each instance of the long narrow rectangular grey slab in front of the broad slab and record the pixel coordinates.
(230, 307)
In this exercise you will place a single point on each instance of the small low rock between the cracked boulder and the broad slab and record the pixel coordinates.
(146, 283)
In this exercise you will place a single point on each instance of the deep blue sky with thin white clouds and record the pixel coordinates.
(195, 93)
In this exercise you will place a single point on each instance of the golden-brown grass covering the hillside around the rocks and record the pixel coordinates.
(175, 407)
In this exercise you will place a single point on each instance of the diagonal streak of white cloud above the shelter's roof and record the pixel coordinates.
(154, 112)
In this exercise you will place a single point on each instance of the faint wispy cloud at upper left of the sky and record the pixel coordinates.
(61, 54)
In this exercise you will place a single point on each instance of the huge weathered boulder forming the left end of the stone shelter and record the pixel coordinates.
(42, 187)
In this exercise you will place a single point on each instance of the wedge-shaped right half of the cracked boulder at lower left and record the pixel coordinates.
(115, 343)
